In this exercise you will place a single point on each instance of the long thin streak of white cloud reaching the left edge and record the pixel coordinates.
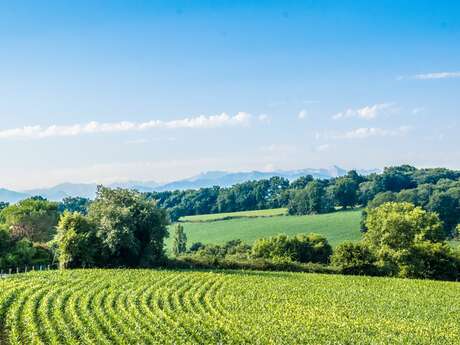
(202, 121)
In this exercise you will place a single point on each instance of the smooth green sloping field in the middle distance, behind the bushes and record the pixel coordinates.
(336, 227)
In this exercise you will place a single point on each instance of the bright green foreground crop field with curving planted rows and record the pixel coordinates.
(190, 307)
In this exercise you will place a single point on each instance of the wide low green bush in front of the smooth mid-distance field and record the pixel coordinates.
(300, 248)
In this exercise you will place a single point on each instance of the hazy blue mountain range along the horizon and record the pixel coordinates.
(206, 179)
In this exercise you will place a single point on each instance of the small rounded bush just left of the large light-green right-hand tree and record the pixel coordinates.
(355, 258)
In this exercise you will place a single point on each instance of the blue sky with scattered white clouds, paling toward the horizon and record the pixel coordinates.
(104, 91)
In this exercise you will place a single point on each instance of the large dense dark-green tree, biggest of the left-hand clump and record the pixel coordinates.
(131, 227)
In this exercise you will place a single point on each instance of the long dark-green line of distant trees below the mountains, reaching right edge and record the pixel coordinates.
(436, 190)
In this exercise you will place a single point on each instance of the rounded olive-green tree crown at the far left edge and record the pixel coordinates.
(34, 219)
